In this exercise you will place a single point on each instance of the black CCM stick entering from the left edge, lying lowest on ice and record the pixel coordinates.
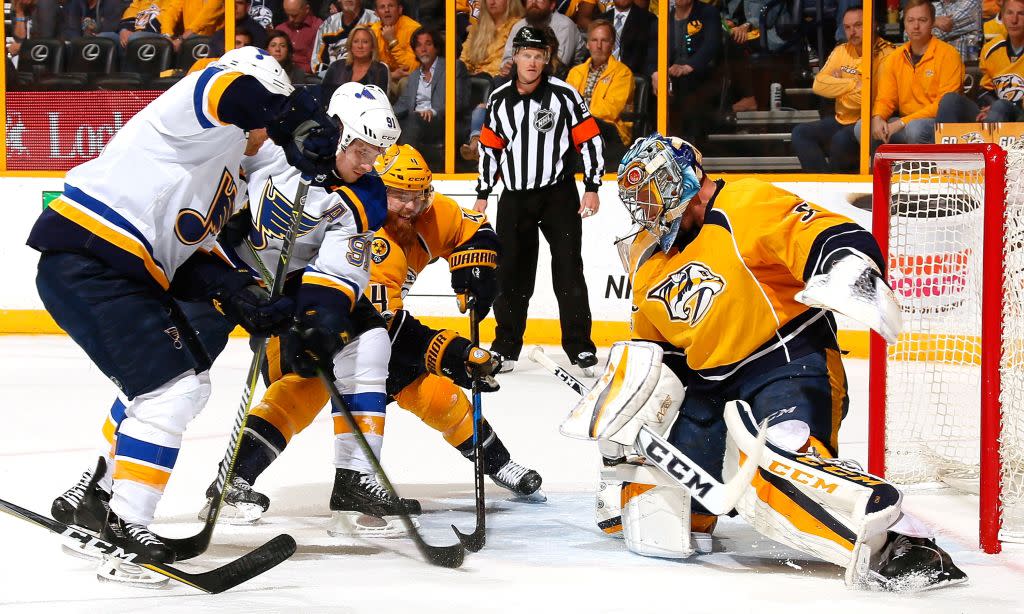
(217, 581)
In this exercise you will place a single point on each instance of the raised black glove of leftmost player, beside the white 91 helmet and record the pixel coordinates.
(308, 135)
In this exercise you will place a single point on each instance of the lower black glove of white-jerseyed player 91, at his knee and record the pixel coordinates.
(316, 338)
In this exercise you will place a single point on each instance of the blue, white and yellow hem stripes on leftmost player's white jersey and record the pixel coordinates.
(100, 221)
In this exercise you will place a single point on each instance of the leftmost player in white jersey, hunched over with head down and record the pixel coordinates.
(136, 230)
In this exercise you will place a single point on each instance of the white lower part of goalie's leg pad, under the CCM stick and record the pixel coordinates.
(657, 520)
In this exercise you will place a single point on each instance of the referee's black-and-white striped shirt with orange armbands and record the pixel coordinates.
(528, 141)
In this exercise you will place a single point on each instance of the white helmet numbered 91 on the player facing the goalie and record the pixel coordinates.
(365, 114)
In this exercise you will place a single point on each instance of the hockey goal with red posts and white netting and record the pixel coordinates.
(948, 400)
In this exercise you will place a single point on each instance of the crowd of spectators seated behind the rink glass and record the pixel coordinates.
(948, 61)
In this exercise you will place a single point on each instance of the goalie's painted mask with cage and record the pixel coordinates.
(658, 179)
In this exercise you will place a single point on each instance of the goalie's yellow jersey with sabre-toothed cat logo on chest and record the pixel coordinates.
(724, 295)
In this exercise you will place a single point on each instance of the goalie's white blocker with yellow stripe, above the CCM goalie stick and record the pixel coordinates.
(634, 390)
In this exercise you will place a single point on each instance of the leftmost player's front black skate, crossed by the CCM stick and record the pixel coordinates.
(136, 539)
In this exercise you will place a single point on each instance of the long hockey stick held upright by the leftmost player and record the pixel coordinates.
(189, 548)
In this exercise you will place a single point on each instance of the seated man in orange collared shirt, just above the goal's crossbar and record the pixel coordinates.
(913, 81)
